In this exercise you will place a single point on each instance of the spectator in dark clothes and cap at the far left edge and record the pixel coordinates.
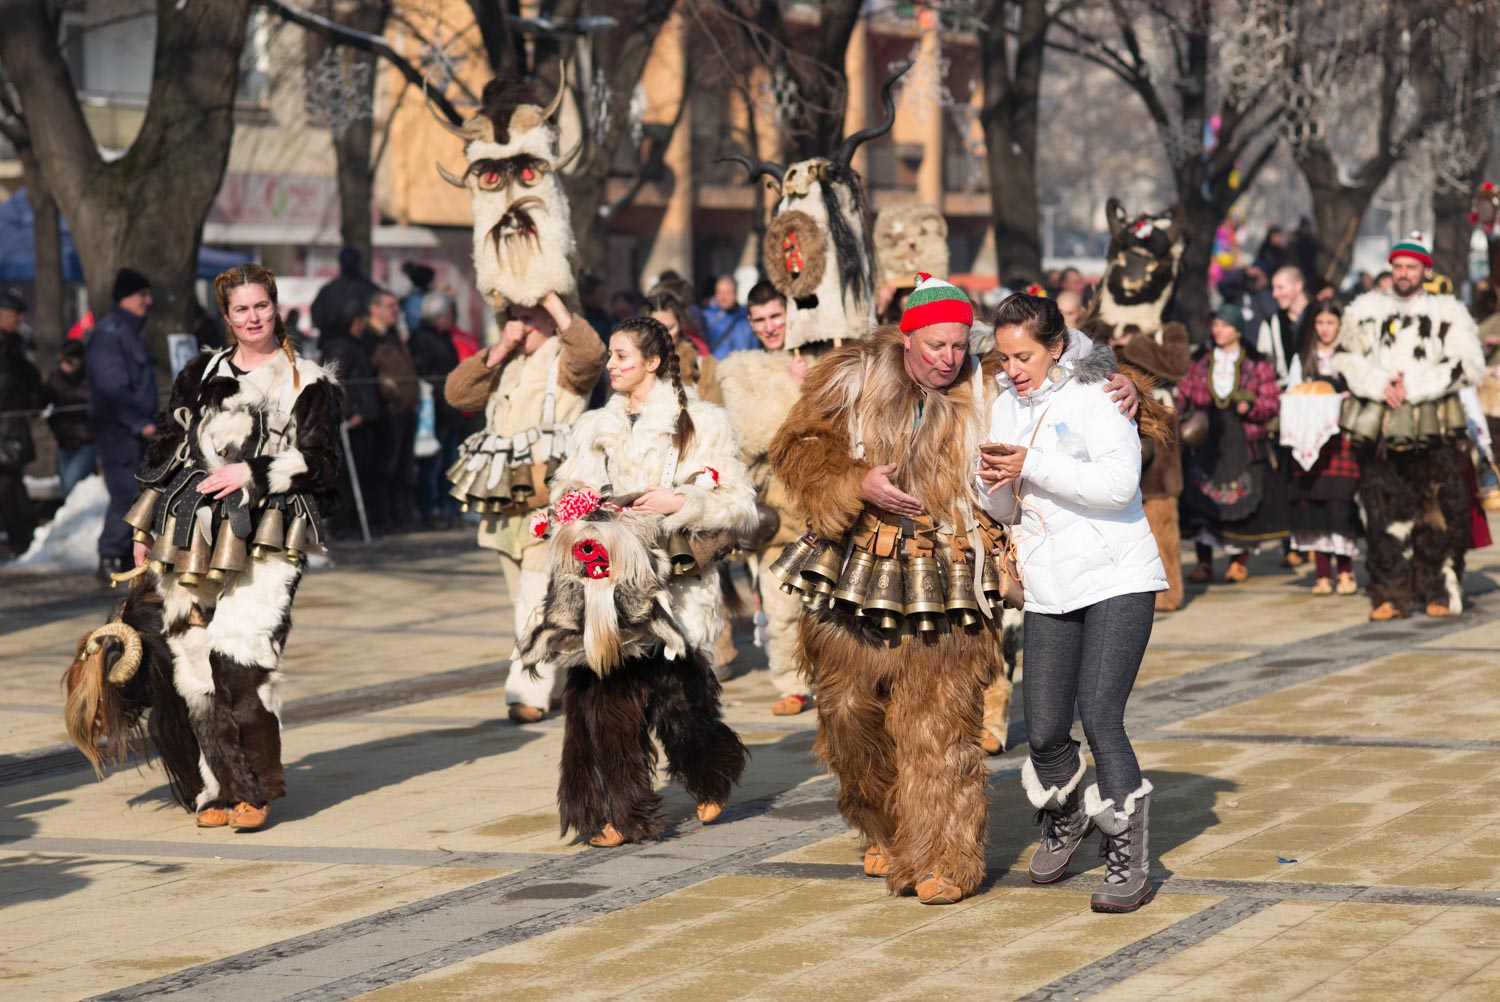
(20, 392)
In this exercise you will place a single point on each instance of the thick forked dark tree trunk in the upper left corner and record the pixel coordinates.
(145, 209)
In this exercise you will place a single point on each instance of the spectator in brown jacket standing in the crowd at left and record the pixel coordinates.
(397, 430)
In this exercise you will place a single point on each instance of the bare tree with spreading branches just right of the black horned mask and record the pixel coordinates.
(1192, 64)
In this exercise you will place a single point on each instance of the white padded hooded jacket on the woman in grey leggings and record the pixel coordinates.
(1082, 535)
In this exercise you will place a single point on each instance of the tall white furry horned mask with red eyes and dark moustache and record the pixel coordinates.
(524, 244)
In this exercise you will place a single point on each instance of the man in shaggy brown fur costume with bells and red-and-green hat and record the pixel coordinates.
(880, 454)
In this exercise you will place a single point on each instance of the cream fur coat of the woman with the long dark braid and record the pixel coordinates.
(632, 458)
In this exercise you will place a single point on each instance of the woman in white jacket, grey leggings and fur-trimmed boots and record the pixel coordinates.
(1091, 569)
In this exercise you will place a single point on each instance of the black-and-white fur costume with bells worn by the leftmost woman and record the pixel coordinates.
(226, 634)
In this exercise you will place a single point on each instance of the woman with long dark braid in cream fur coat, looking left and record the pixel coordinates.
(676, 458)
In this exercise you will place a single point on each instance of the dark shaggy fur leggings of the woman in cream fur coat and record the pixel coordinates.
(608, 757)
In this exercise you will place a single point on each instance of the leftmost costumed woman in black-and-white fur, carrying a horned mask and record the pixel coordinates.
(235, 485)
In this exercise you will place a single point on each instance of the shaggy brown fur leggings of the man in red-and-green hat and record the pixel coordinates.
(899, 727)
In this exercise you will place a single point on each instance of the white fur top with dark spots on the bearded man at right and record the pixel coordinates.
(1430, 341)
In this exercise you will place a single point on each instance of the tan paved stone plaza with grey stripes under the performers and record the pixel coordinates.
(1327, 826)
